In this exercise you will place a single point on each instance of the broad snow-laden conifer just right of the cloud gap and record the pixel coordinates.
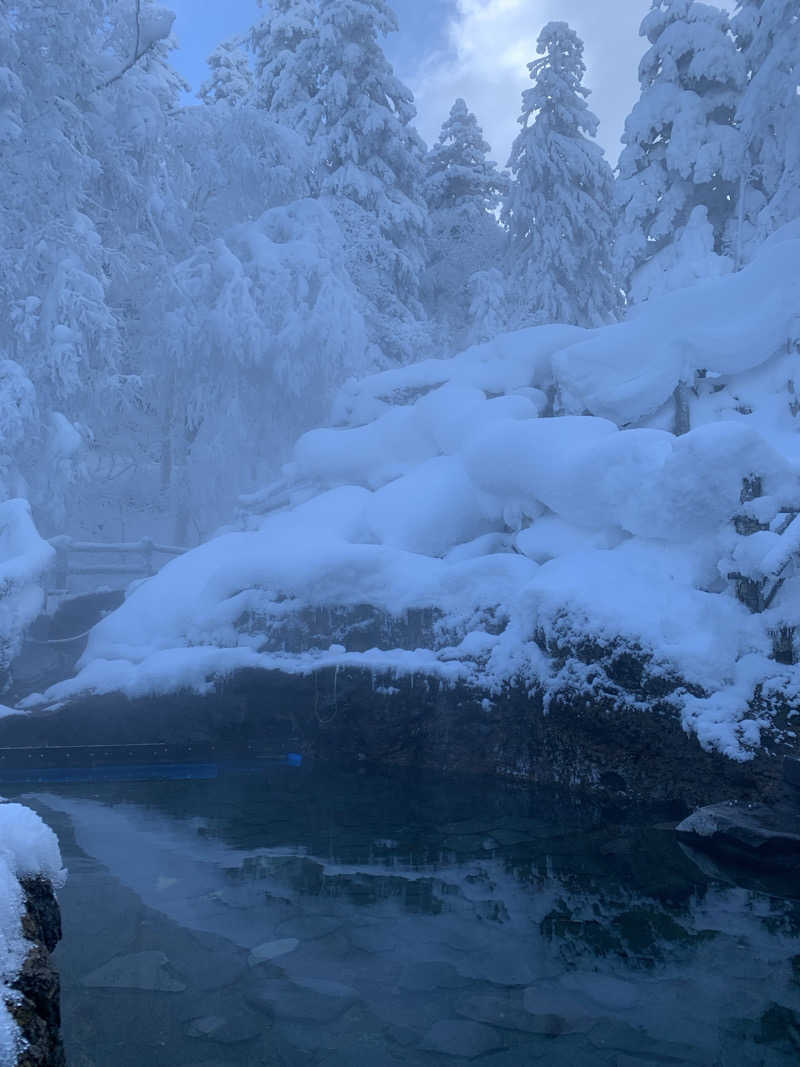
(682, 158)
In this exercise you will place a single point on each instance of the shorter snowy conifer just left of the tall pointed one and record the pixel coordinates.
(463, 190)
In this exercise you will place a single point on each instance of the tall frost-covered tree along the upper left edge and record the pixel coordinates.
(66, 72)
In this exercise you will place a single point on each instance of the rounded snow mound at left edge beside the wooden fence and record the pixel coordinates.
(24, 560)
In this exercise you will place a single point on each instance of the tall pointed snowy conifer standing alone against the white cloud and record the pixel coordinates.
(559, 206)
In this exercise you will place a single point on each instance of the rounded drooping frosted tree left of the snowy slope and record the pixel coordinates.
(260, 326)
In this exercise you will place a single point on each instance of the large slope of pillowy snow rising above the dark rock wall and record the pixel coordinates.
(445, 487)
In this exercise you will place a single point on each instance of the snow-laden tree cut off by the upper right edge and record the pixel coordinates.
(769, 33)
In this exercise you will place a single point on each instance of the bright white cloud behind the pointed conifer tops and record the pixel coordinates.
(490, 44)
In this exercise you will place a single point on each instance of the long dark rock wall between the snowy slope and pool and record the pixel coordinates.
(354, 715)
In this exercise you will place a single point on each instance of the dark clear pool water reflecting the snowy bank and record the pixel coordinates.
(308, 917)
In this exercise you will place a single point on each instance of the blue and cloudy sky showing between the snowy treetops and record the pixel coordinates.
(478, 50)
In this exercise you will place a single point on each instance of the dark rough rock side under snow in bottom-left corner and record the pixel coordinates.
(38, 1013)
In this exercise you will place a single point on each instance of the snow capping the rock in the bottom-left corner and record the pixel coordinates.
(28, 848)
